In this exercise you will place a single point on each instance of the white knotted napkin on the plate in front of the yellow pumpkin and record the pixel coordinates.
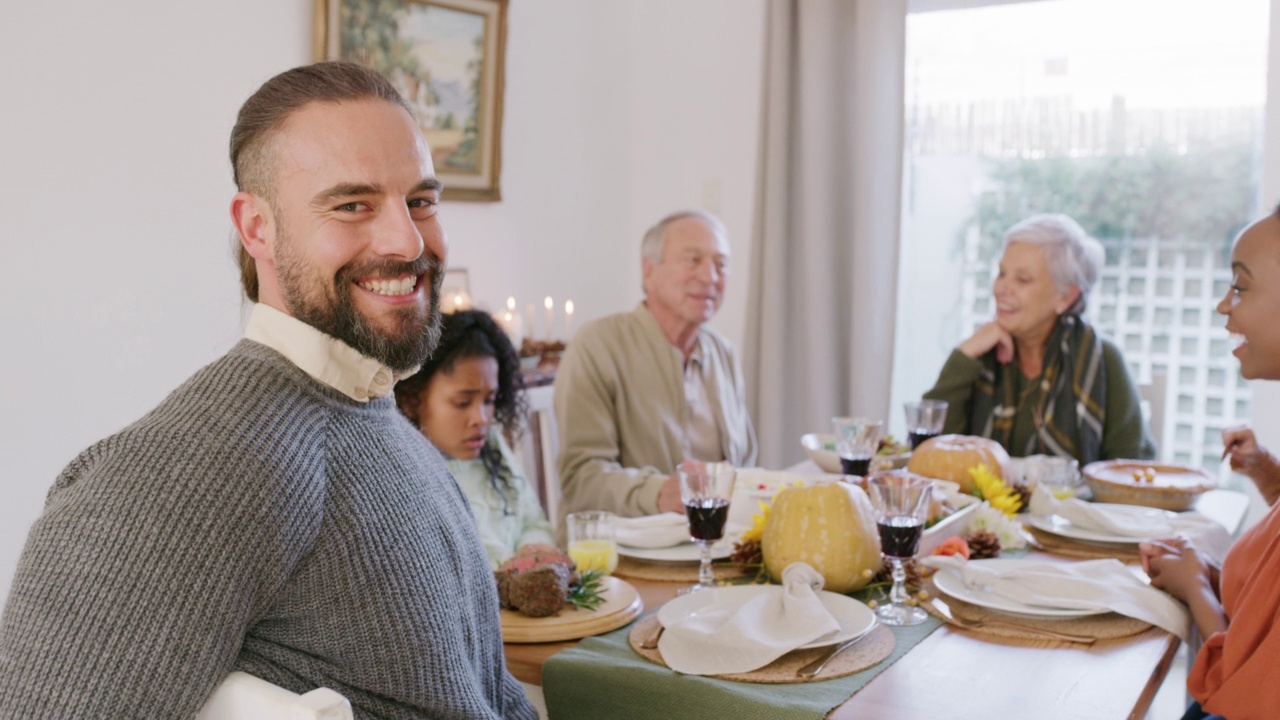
(732, 637)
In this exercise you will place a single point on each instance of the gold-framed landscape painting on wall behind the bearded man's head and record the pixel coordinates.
(446, 57)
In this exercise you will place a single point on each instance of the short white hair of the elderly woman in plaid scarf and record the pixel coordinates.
(1075, 258)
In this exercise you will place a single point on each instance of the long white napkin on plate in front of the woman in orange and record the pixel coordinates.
(1091, 585)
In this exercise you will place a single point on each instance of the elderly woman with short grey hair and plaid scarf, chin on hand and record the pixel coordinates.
(1039, 379)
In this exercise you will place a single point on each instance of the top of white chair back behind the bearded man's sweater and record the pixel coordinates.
(246, 698)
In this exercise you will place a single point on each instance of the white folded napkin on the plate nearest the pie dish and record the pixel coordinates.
(1136, 522)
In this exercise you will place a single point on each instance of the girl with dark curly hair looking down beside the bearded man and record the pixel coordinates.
(464, 399)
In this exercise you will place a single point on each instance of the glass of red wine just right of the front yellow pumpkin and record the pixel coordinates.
(902, 503)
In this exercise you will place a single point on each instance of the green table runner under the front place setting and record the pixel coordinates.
(604, 678)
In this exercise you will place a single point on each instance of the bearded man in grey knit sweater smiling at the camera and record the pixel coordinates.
(276, 514)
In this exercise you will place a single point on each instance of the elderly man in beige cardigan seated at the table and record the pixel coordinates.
(642, 391)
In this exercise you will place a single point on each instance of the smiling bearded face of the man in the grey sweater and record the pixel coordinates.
(358, 248)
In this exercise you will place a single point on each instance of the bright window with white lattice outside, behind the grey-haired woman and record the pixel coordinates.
(1144, 121)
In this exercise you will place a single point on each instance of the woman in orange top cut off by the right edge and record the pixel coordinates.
(1236, 610)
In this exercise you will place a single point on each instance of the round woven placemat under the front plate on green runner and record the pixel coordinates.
(871, 650)
